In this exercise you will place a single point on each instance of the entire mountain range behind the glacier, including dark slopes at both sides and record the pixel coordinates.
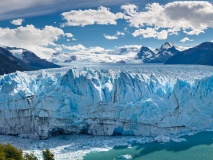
(13, 59)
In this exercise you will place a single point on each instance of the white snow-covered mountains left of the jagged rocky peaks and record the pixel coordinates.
(119, 54)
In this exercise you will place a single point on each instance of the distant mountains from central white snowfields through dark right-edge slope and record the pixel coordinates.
(168, 53)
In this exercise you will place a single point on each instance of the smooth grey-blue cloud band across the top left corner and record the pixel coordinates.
(10, 9)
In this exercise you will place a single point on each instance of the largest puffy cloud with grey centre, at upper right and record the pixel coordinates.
(192, 17)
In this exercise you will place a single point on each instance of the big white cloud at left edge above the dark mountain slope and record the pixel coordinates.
(31, 38)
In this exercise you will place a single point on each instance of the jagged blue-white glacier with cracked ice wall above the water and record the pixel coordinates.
(133, 100)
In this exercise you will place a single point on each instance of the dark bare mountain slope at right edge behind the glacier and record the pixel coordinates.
(201, 54)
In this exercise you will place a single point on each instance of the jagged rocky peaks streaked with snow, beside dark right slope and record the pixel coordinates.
(159, 55)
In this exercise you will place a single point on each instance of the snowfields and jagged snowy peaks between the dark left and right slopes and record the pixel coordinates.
(125, 54)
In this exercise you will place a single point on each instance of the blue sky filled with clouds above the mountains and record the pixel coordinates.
(72, 25)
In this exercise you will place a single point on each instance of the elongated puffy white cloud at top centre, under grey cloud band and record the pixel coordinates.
(101, 16)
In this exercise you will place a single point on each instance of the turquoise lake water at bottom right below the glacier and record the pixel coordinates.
(197, 147)
